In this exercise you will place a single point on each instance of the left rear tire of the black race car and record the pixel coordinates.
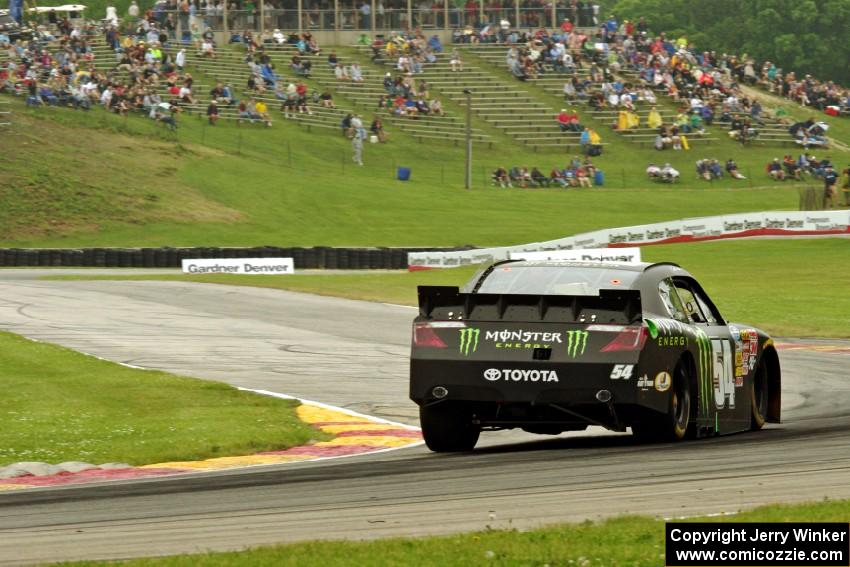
(448, 428)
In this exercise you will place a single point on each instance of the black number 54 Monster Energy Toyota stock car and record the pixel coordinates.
(557, 346)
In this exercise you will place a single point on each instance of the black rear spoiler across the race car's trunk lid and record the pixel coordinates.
(446, 303)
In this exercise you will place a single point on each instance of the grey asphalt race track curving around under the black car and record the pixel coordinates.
(354, 354)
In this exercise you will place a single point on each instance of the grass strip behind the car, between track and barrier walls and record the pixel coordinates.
(780, 286)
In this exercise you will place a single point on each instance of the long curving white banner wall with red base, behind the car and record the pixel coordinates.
(788, 224)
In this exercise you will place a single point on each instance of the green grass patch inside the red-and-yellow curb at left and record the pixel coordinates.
(60, 405)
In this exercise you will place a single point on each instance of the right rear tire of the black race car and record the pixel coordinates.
(673, 425)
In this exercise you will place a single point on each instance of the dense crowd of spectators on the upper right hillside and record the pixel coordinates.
(706, 85)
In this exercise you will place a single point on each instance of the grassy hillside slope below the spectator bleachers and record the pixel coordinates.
(132, 184)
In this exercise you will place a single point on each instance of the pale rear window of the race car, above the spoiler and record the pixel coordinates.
(555, 280)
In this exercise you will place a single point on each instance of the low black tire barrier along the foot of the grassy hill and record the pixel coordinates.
(304, 258)
